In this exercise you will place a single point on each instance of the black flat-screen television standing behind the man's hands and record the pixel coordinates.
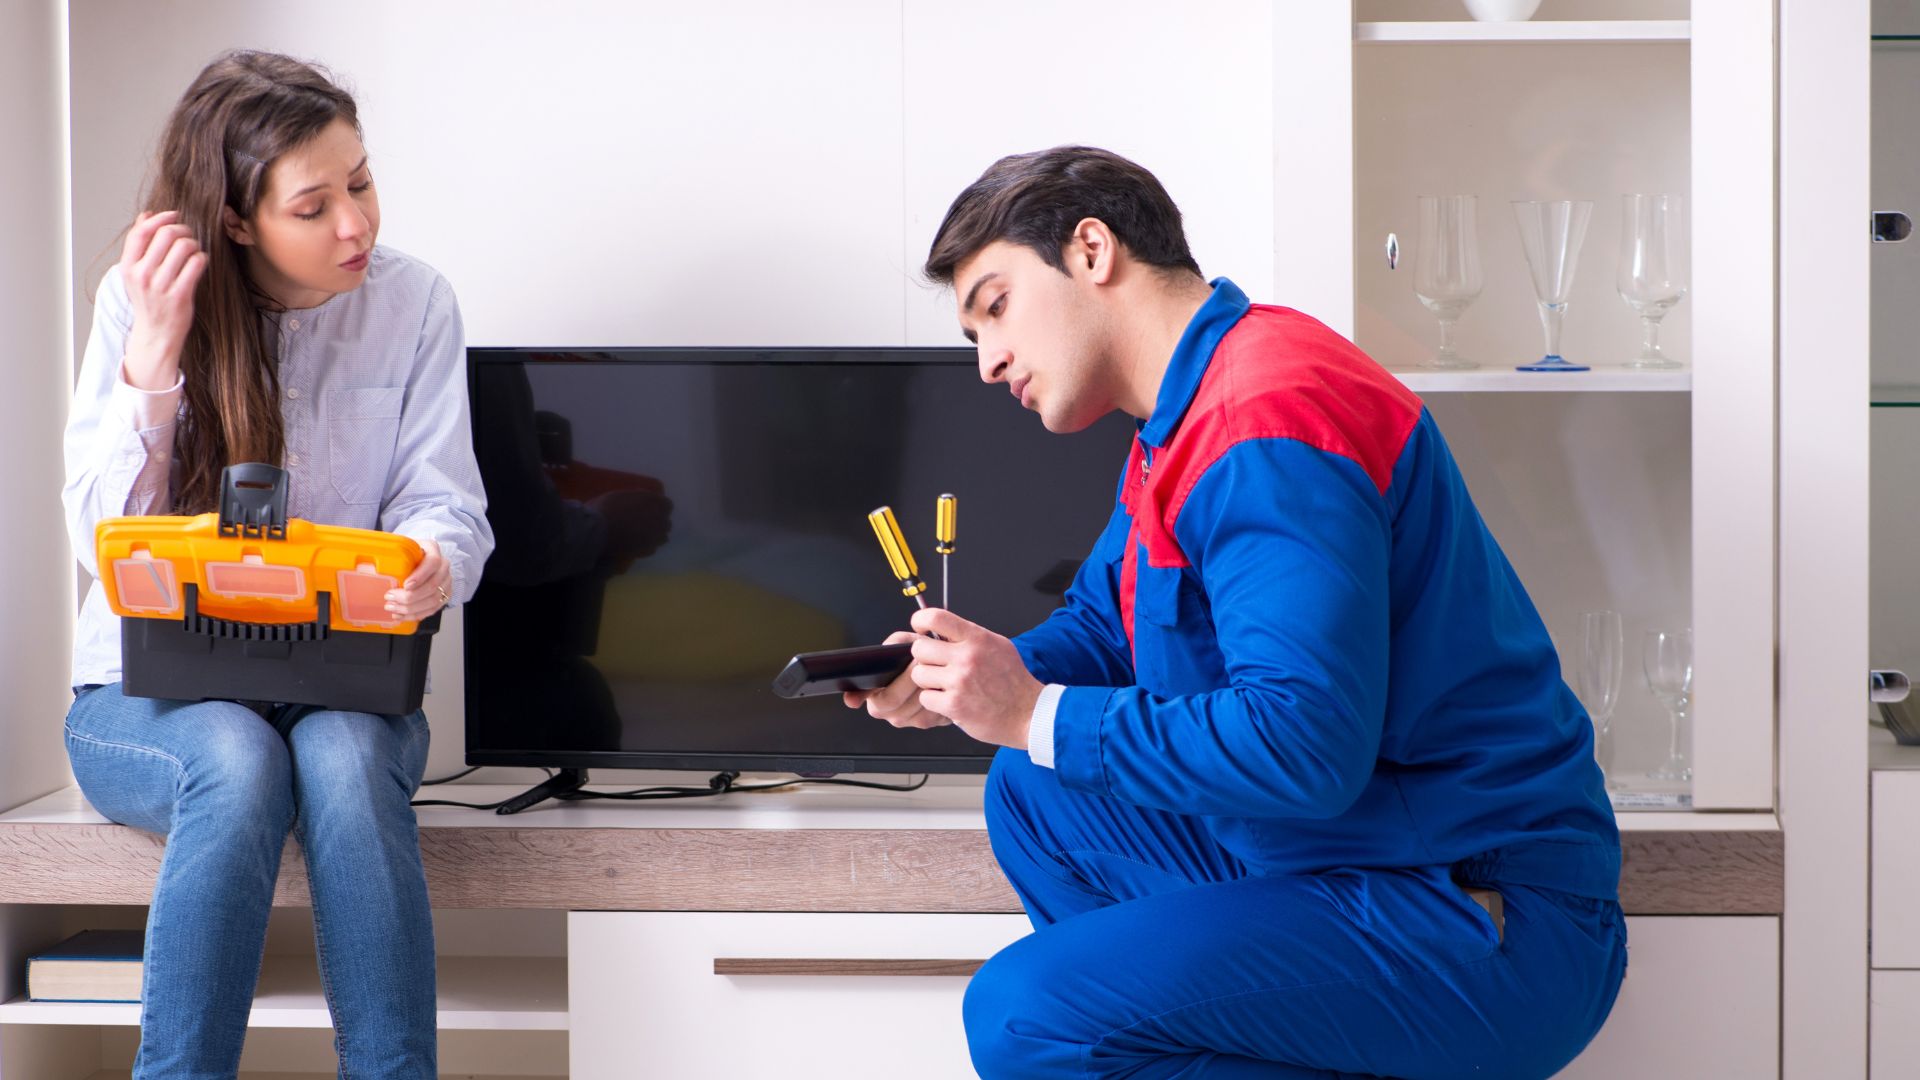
(673, 526)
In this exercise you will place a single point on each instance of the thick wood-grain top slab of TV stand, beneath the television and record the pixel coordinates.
(811, 850)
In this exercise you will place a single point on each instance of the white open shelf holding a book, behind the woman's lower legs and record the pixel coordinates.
(502, 994)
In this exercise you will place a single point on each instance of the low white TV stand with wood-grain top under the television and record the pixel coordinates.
(817, 916)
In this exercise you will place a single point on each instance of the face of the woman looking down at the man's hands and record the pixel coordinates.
(316, 224)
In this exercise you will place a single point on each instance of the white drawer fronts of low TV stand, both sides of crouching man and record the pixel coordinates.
(646, 996)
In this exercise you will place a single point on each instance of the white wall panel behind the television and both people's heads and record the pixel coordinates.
(613, 174)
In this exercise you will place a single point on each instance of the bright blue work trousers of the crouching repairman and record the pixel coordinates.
(1157, 954)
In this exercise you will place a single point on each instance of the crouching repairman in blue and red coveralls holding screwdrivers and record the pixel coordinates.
(1291, 783)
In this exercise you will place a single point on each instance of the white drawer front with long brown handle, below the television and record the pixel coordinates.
(853, 996)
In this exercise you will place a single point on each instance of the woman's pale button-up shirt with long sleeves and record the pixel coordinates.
(377, 431)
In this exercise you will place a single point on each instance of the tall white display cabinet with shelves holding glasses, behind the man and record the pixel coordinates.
(1643, 493)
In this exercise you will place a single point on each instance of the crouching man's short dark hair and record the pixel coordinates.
(1038, 199)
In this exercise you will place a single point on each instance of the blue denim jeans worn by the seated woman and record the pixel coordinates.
(226, 783)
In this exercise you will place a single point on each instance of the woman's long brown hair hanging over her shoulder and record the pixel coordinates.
(233, 124)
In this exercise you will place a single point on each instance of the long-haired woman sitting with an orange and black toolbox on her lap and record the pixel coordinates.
(254, 320)
